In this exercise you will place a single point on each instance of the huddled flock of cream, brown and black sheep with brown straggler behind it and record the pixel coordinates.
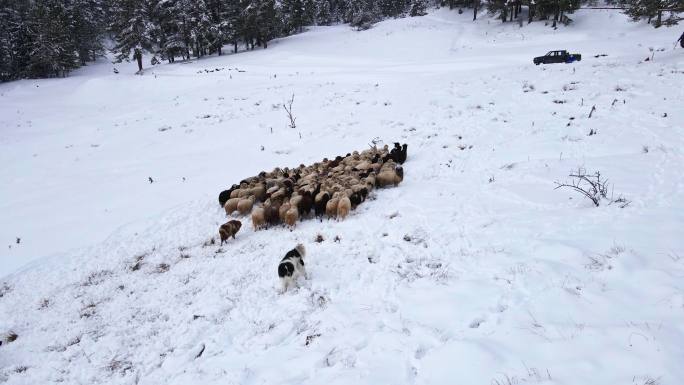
(328, 188)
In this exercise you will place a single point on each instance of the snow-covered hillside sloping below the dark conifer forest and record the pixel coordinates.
(473, 271)
